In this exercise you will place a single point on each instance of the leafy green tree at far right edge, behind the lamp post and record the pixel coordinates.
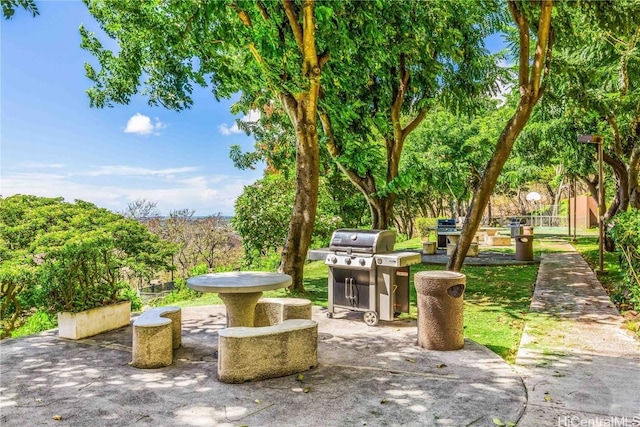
(599, 85)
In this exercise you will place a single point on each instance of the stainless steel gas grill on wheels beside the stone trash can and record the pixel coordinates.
(366, 275)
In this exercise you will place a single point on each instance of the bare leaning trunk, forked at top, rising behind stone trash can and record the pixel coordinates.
(530, 76)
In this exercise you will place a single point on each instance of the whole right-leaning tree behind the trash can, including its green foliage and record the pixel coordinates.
(534, 20)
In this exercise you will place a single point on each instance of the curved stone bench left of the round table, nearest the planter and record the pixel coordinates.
(156, 333)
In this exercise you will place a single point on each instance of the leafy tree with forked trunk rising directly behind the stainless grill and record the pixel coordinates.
(412, 57)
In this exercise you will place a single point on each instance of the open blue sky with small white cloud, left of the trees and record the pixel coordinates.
(53, 144)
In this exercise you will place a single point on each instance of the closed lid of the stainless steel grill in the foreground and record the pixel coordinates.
(364, 241)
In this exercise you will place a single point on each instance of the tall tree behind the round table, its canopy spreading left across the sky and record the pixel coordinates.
(267, 51)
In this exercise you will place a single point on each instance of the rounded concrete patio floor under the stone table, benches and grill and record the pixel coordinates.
(367, 376)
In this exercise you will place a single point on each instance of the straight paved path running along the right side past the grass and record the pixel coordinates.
(579, 366)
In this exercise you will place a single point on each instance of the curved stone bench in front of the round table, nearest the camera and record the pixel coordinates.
(248, 354)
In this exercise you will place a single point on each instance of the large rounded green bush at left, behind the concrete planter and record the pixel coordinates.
(58, 256)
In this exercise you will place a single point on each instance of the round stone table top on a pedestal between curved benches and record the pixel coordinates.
(239, 282)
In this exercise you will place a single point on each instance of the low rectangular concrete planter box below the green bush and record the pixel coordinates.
(91, 322)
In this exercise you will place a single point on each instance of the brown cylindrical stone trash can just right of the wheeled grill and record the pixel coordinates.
(440, 309)
